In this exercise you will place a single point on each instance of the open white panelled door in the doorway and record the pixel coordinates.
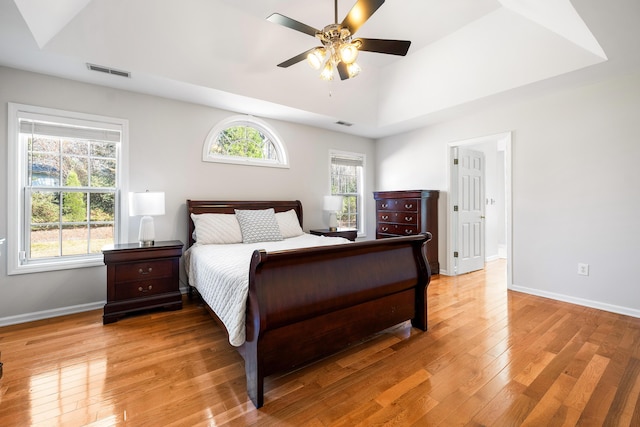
(470, 210)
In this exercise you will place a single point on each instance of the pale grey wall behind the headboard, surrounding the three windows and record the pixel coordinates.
(165, 152)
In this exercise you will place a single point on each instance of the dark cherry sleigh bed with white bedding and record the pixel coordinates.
(304, 304)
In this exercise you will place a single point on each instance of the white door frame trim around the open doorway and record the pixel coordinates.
(504, 143)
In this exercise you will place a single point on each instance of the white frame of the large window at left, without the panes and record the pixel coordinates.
(17, 182)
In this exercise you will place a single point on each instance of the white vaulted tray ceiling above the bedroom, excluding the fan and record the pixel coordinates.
(464, 54)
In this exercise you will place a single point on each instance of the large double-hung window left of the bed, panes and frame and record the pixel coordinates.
(65, 178)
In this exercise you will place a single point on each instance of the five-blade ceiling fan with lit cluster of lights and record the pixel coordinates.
(339, 48)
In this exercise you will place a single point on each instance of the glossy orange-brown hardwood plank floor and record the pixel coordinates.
(490, 357)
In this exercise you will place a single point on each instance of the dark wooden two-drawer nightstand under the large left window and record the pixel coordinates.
(141, 278)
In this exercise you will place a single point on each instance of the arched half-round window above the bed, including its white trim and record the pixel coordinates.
(245, 140)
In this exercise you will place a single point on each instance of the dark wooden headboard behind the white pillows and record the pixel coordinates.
(227, 207)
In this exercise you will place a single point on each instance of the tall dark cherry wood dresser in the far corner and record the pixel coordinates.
(403, 213)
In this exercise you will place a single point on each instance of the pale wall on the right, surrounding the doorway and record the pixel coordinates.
(575, 187)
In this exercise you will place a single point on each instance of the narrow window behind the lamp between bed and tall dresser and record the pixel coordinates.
(347, 178)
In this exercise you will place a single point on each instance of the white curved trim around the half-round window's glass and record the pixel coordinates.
(245, 120)
